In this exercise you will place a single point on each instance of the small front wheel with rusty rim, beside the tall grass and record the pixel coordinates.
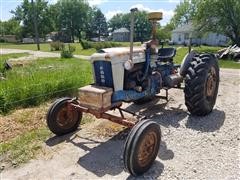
(60, 120)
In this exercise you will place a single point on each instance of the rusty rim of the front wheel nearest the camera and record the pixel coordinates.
(147, 148)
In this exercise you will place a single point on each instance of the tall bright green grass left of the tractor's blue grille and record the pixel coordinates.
(42, 80)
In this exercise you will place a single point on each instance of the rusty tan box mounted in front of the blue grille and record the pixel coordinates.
(95, 97)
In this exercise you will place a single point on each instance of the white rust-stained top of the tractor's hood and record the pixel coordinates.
(119, 55)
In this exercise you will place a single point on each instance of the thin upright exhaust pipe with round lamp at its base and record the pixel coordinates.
(128, 65)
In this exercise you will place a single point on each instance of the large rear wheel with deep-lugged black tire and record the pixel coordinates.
(201, 84)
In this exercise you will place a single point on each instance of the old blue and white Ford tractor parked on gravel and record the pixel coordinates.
(137, 75)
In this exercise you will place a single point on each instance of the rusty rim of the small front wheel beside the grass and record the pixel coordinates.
(66, 118)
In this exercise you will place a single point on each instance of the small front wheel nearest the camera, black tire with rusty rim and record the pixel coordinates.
(141, 147)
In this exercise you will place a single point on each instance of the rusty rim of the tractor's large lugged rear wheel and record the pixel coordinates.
(211, 82)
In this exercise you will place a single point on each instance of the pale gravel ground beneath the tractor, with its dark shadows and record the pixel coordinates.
(191, 148)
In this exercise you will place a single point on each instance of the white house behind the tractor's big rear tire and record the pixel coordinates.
(181, 35)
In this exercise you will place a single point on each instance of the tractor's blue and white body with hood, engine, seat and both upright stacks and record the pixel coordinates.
(137, 72)
